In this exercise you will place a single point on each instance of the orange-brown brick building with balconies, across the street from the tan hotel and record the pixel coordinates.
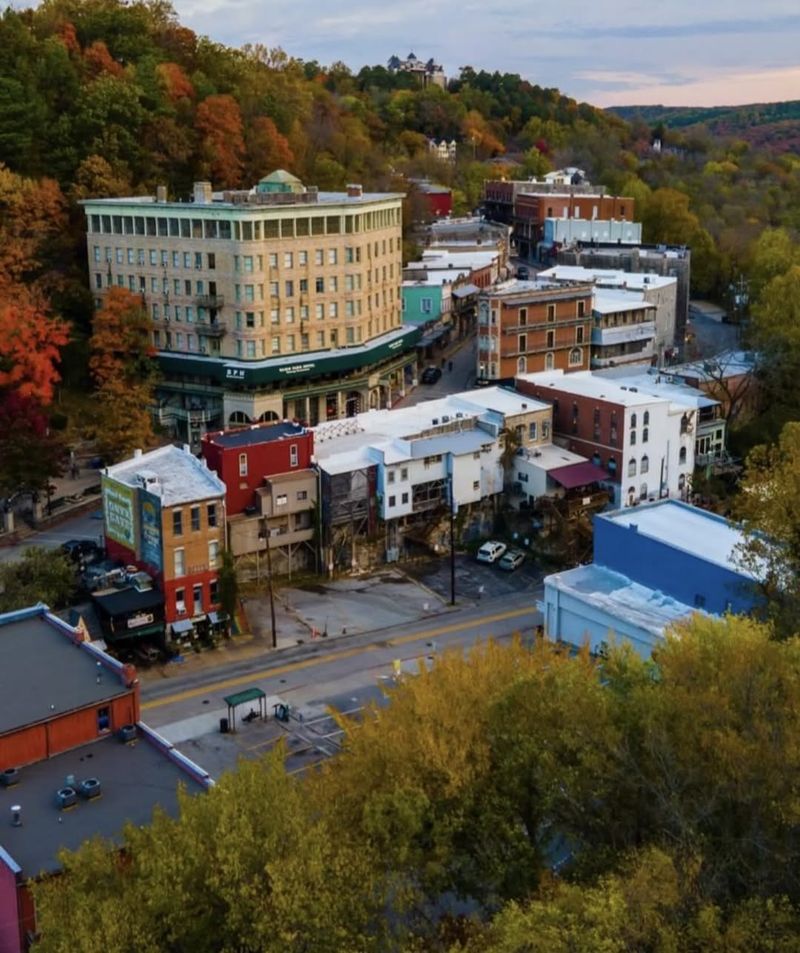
(529, 326)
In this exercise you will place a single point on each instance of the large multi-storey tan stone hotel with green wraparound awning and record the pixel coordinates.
(273, 303)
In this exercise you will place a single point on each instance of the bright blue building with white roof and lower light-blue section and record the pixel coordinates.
(654, 564)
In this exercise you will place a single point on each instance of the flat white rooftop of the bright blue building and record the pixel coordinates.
(686, 528)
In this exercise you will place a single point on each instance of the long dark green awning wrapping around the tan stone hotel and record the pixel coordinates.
(299, 367)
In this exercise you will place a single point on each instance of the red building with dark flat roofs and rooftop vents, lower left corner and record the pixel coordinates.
(69, 733)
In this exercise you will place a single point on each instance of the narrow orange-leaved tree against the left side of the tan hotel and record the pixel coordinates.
(124, 370)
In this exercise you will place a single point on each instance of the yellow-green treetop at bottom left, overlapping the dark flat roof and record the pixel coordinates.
(249, 866)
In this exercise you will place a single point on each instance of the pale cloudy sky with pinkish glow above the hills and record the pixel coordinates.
(605, 52)
